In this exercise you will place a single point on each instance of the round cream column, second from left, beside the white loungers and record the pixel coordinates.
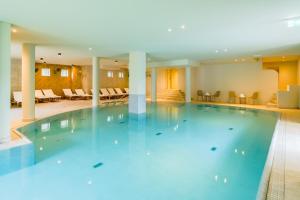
(28, 82)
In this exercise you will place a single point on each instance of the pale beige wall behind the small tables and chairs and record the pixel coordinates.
(242, 78)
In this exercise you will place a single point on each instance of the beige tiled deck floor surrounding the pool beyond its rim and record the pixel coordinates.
(285, 173)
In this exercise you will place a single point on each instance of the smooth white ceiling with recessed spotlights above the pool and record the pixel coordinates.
(115, 27)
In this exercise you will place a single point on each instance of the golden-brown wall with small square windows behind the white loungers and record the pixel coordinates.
(79, 77)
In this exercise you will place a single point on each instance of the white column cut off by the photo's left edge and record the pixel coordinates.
(5, 40)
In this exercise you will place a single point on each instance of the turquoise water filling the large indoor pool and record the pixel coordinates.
(177, 152)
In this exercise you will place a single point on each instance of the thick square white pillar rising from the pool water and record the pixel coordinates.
(137, 82)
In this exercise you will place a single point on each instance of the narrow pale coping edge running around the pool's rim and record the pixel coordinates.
(263, 188)
